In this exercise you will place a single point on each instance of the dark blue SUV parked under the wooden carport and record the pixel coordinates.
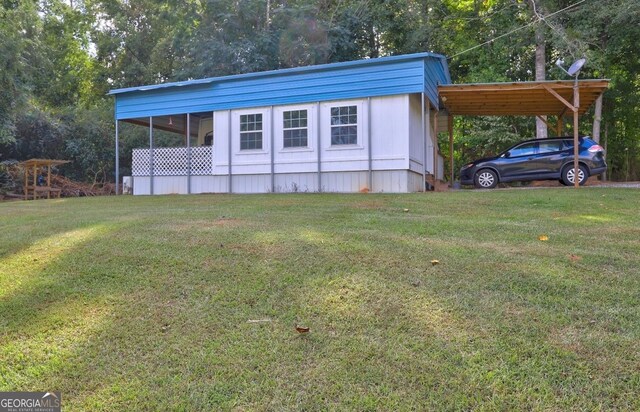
(537, 159)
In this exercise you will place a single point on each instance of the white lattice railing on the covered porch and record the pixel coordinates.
(173, 161)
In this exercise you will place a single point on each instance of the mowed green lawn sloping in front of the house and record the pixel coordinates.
(143, 303)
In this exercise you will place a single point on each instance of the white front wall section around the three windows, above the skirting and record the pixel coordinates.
(389, 144)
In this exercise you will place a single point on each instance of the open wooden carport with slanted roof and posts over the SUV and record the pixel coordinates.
(540, 98)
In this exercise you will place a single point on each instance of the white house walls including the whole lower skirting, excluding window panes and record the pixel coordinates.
(390, 124)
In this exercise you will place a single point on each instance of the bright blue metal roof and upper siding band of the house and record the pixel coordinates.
(413, 73)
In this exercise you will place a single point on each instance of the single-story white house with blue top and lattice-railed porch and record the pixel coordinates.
(367, 125)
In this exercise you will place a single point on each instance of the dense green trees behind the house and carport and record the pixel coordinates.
(59, 58)
